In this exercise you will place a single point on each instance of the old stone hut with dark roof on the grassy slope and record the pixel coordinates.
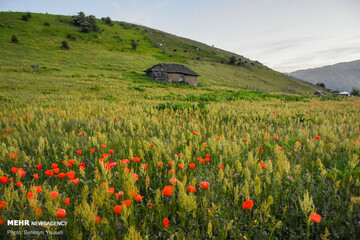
(172, 73)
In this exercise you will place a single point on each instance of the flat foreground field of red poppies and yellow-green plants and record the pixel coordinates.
(227, 170)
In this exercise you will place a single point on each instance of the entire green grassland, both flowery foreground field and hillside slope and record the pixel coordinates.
(88, 139)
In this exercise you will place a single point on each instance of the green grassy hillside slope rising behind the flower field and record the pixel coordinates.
(107, 60)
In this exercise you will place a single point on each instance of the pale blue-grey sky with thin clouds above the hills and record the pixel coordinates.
(285, 35)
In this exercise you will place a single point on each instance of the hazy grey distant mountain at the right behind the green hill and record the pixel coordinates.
(340, 76)
